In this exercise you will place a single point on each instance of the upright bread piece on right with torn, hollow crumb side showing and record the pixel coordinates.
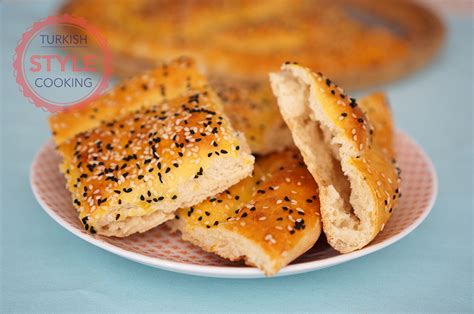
(349, 153)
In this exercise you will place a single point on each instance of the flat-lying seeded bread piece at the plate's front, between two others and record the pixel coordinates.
(268, 219)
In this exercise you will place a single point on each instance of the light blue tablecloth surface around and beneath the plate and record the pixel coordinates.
(45, 268)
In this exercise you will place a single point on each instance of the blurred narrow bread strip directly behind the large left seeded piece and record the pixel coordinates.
(180, 77)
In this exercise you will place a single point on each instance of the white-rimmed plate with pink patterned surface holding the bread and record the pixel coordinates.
(159, 248)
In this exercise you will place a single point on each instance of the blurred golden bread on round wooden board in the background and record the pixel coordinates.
(356, 42)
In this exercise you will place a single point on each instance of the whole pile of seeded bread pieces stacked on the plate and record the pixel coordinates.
(165, 147)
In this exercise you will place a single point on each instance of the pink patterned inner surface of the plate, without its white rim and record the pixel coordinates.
(418, 187)
